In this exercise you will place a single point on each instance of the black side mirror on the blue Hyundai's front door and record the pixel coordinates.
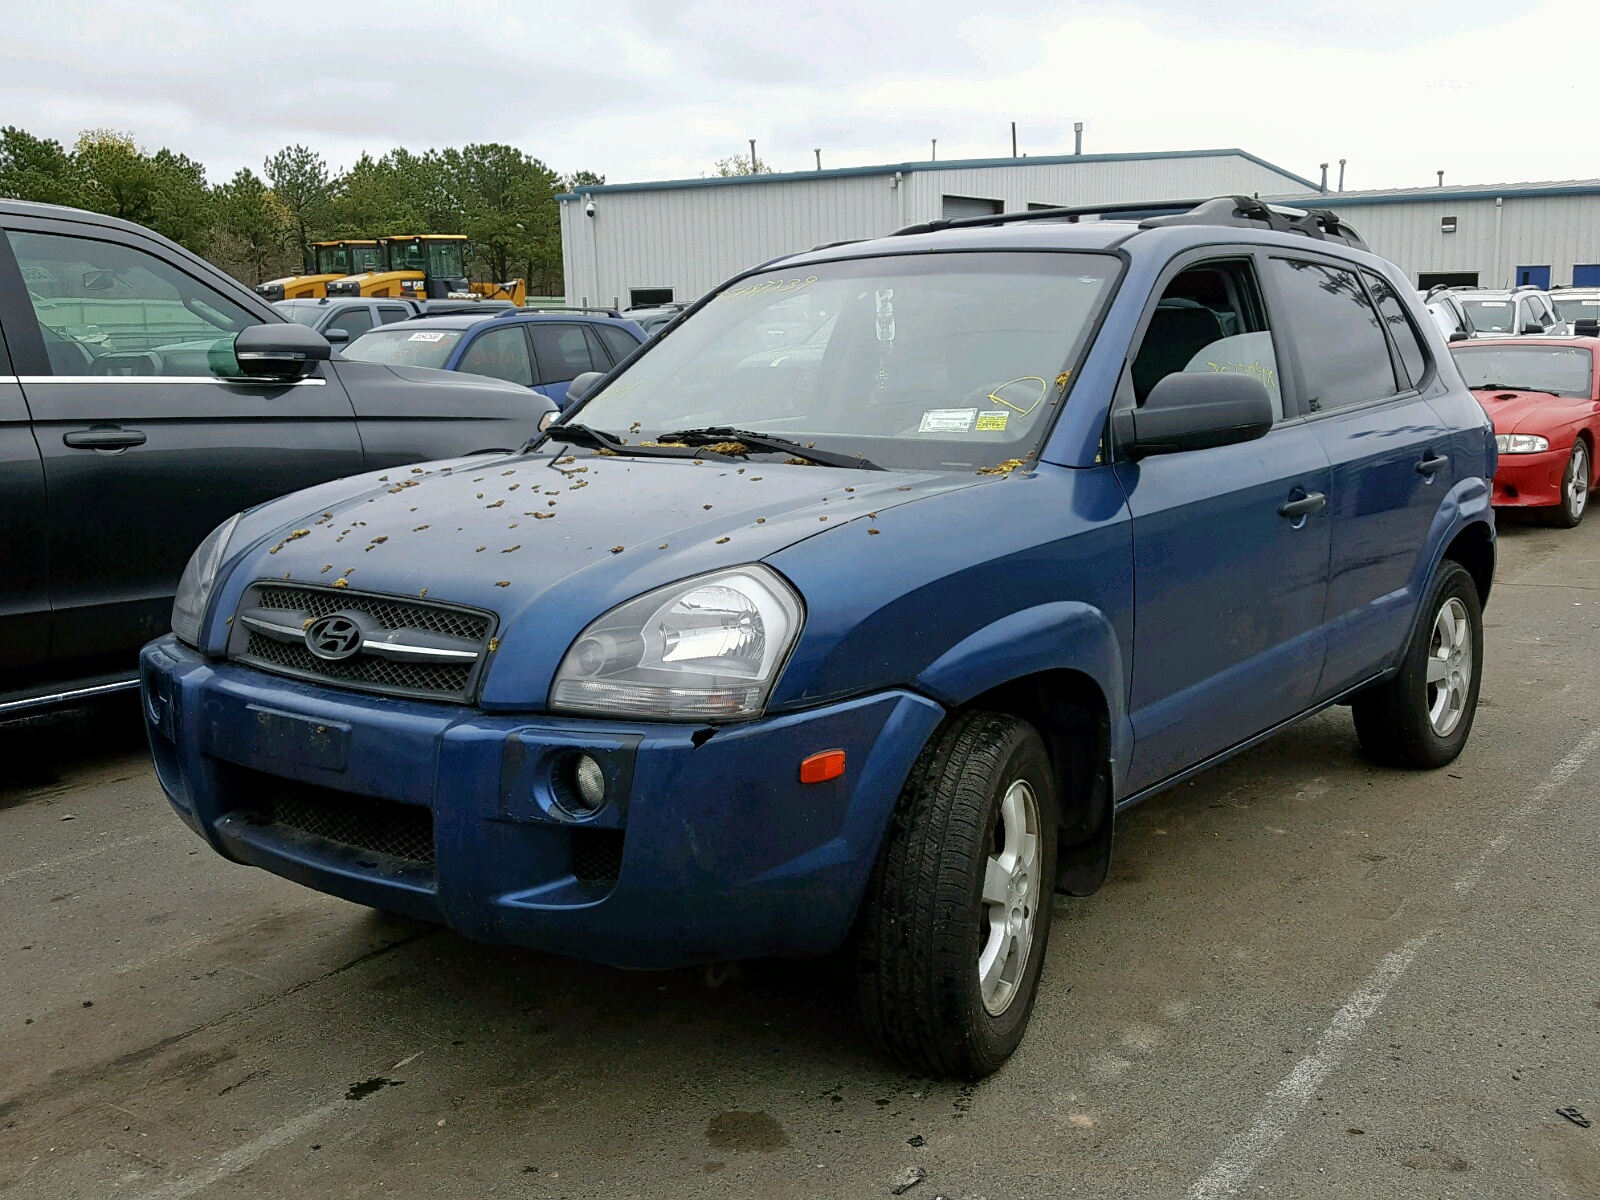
(1196, 412)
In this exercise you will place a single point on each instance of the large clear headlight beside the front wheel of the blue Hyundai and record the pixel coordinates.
(702, 650)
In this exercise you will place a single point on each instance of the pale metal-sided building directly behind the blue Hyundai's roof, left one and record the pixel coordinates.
(692, 234)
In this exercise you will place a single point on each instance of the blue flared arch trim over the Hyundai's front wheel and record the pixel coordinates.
(1058, 636)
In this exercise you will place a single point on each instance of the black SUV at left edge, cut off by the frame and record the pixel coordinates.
(145, 396)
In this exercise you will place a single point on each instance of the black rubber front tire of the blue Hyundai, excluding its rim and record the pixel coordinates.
(924, 921)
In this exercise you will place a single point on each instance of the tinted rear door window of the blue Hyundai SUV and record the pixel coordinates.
(1338, 338)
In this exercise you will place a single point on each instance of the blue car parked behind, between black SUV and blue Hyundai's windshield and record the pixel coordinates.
(537, 348)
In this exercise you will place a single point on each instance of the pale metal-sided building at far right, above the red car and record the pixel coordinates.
(1498, 228)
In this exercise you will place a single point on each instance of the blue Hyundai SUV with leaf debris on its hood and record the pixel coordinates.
(860, 641)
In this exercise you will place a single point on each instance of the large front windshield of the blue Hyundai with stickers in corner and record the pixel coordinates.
(919, 361)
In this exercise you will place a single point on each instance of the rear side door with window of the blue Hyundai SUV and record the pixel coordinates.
(1359, 367)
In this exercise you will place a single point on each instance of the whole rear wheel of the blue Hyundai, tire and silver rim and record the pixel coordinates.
(1422, 716)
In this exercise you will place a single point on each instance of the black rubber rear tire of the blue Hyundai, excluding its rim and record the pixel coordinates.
(1394, 719)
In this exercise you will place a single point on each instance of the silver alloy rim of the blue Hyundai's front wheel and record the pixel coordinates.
(1010, 898)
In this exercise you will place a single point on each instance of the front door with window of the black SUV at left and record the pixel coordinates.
(145, 450)
